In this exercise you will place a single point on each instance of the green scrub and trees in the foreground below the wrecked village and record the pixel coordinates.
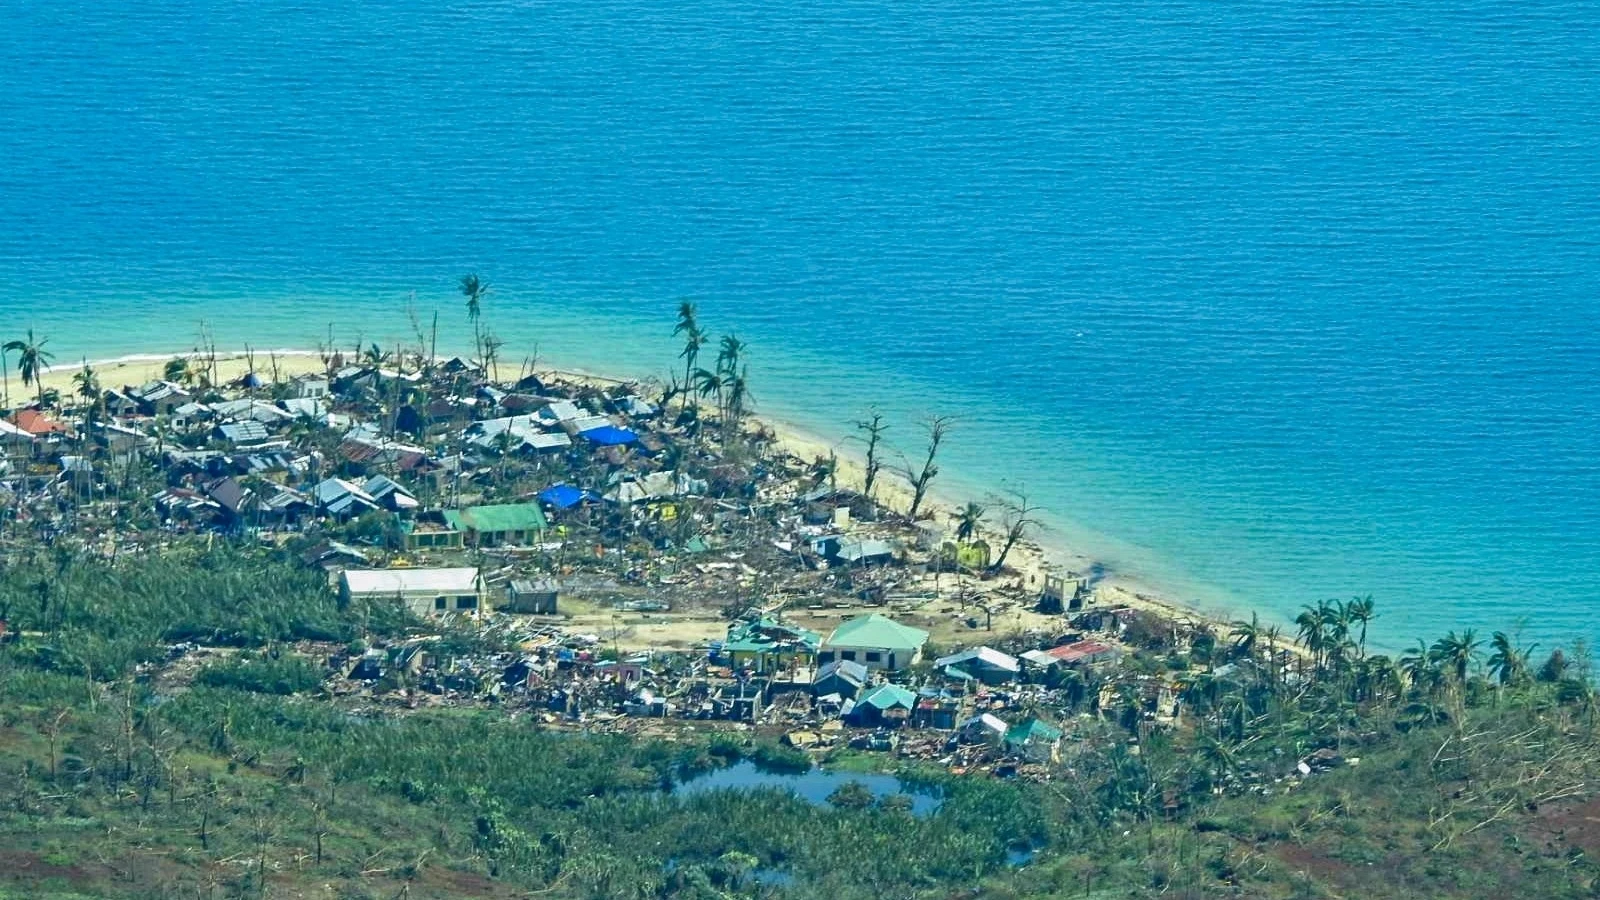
(1476, 773)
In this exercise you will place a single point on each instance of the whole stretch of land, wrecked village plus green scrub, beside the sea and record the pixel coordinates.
(402, 587)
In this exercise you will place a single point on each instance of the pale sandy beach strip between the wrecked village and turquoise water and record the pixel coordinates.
(1042, 553)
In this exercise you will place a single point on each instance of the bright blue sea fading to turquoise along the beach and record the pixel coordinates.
(1266, 302)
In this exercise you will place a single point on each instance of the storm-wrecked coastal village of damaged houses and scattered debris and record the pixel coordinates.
(634, 565)
